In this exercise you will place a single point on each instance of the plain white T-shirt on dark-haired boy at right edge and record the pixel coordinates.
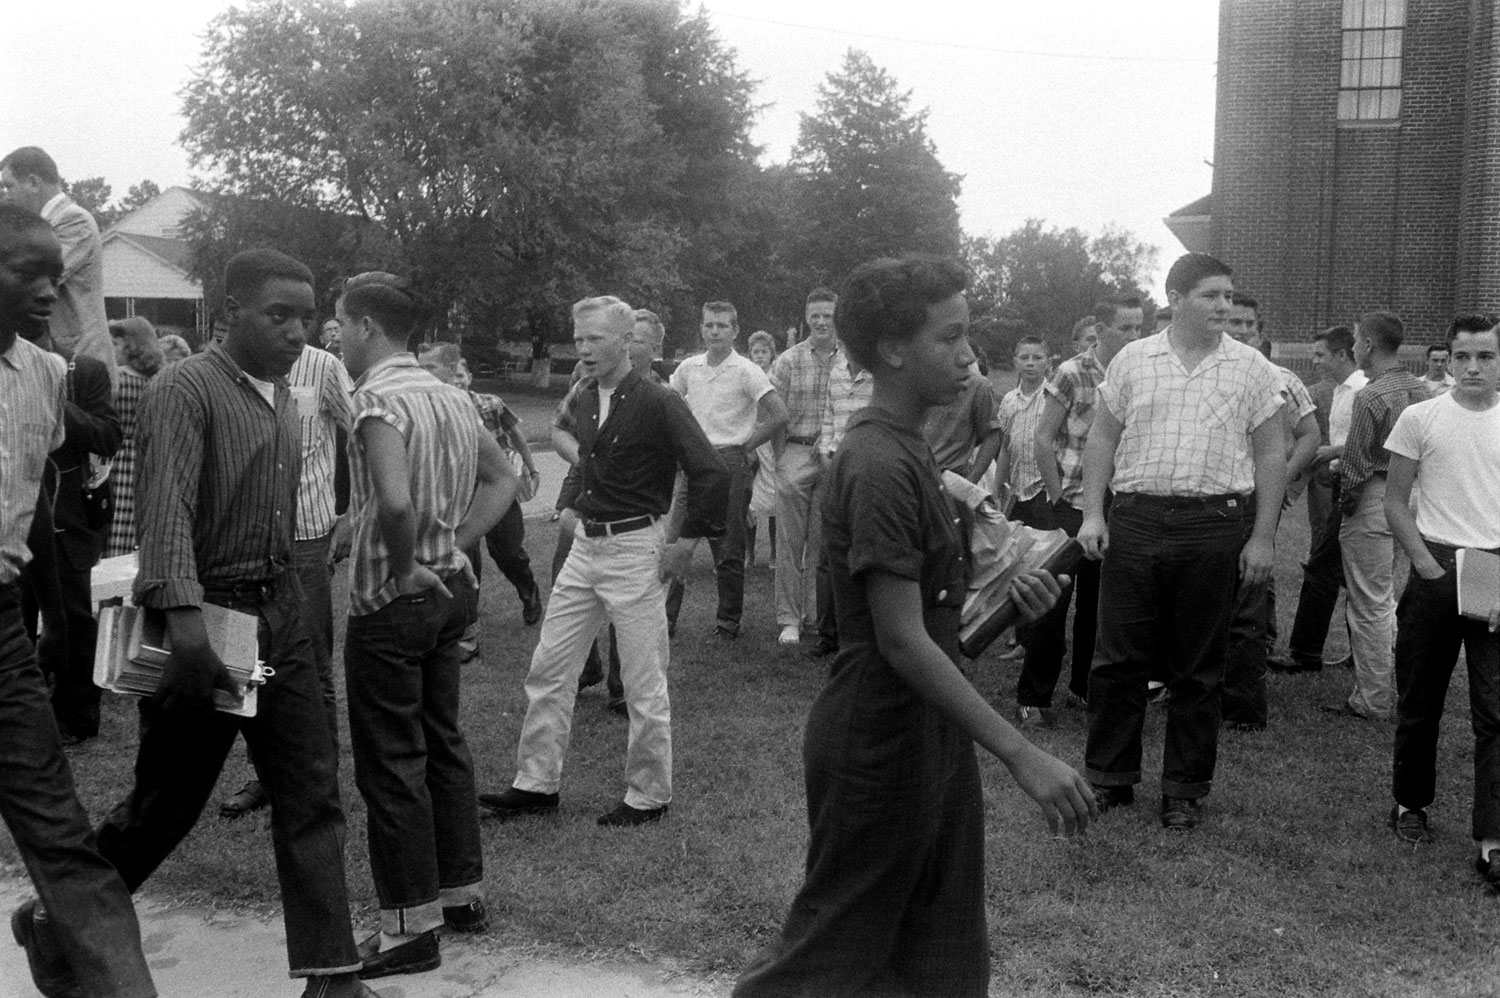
(1459, 470)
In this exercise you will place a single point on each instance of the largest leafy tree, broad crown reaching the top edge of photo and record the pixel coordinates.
(520, 154)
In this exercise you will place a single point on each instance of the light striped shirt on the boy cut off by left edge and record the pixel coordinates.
(31, 427)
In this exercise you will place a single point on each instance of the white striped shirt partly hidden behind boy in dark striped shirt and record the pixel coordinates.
(322, 389)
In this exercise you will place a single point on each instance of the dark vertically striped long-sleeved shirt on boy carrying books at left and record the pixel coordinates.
(217, 481)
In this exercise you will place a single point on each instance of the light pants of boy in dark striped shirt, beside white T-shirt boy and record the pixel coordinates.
(1369, 553)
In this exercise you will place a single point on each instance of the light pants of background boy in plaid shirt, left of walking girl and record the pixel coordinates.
(799, 537)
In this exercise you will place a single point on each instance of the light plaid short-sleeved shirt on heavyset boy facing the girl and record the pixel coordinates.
(1187, 433)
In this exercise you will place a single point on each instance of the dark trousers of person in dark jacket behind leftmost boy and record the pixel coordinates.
(70, 670)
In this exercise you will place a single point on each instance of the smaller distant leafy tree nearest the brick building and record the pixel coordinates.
(1042, 281)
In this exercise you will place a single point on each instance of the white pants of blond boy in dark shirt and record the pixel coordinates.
(616, 579)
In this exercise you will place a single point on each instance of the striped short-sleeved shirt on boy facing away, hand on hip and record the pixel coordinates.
(442, 431)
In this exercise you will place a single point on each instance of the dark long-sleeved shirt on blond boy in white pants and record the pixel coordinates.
(628, 466)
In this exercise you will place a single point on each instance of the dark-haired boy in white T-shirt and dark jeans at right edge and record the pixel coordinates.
(1450, 448)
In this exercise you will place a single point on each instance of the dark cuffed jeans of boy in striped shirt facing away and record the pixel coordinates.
(413, 768)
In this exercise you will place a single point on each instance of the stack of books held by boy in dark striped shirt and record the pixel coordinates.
(134, 648)
